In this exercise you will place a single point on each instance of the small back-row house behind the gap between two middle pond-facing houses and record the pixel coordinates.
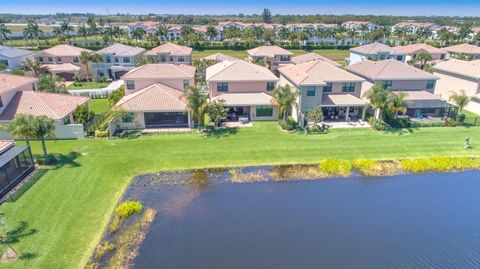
(273, 55)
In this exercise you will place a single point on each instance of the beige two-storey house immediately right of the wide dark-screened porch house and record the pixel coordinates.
(245, 87)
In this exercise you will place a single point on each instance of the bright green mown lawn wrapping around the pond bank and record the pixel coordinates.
(69, 206)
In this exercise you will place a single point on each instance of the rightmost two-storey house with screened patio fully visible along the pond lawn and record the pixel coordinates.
(396, 76)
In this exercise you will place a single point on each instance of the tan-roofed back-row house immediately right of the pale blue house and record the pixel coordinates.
(171, 53)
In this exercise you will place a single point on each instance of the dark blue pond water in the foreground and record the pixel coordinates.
(405, 221)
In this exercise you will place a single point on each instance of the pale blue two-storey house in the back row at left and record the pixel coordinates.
(118, 59)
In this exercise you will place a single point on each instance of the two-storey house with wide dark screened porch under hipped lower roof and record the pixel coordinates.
(155, 97)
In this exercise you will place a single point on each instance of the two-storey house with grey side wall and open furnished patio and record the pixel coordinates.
(335, 90)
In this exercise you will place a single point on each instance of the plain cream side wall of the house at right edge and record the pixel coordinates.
(450, 83)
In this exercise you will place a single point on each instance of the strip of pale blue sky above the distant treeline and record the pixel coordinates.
(218, 7)
